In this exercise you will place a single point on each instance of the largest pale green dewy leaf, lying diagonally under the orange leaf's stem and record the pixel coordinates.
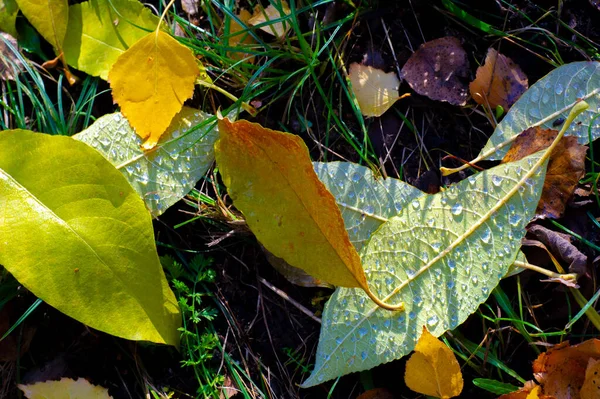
(441, 256)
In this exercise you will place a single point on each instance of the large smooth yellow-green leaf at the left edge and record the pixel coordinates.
(76, 234)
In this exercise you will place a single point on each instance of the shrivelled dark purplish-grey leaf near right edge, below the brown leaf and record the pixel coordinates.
(560, 245)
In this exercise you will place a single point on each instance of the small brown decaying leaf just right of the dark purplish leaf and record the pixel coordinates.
(499, 81)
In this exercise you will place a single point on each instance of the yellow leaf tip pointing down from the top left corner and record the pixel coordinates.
(49, 18)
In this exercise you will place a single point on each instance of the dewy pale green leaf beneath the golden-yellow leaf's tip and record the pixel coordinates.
(167, 173)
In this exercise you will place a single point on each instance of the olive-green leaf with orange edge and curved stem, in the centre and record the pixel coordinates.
(271, 180)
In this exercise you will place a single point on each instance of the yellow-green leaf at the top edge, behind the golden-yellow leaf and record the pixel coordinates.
(99, 31)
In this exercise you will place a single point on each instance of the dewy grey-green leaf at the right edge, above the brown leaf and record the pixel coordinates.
(549, 99)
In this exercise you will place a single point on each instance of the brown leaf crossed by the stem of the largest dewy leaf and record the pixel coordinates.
(565, 168)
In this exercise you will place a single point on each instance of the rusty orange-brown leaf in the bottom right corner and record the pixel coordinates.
(561, 371)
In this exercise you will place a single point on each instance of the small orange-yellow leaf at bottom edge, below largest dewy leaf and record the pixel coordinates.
(433, 370)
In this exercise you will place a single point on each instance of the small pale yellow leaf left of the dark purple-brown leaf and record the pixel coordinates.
(375, 90)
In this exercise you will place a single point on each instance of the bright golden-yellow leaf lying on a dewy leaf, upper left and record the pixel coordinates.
(151, 81)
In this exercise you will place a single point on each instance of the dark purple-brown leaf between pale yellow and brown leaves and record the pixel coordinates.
(439, 70)
